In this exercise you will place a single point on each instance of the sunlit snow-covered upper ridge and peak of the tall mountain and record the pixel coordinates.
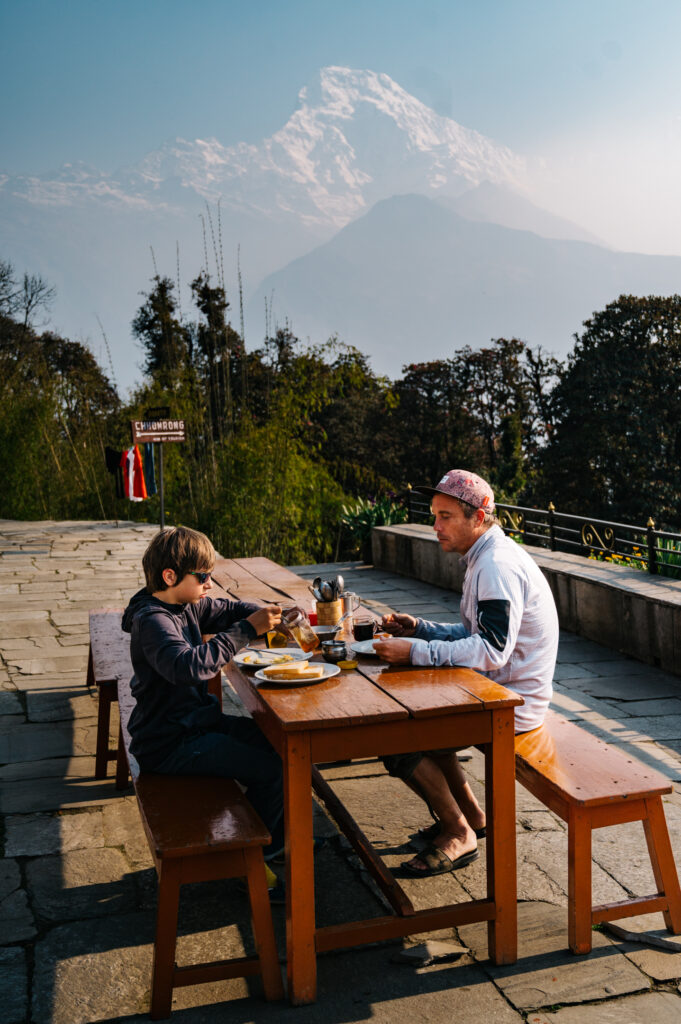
(356, 138)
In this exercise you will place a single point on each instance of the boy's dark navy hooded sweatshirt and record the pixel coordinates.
(174, 667)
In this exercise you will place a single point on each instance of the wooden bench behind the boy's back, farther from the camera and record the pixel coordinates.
(108, 663)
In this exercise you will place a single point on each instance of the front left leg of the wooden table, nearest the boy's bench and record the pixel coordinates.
(302, 966)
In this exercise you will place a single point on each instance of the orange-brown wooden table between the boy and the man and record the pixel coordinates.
(378, 710)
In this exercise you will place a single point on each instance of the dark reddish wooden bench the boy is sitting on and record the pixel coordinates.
(199, 829)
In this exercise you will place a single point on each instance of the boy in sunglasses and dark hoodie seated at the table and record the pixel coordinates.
(177, 727)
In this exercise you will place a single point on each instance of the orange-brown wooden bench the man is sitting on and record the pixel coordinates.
(590, 786)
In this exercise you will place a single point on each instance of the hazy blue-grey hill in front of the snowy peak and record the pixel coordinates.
(412, 281)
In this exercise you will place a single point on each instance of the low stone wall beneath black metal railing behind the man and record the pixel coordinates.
(623, 609)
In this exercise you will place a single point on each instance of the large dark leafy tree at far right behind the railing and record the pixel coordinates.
(616, 450)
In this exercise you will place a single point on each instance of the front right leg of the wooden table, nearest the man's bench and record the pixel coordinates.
(500, 799)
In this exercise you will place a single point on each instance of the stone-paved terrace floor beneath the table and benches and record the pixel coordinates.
(77, 888)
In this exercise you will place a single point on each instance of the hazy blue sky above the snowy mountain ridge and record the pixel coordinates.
(591, 89)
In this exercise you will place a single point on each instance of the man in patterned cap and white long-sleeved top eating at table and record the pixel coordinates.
(509, 631)
